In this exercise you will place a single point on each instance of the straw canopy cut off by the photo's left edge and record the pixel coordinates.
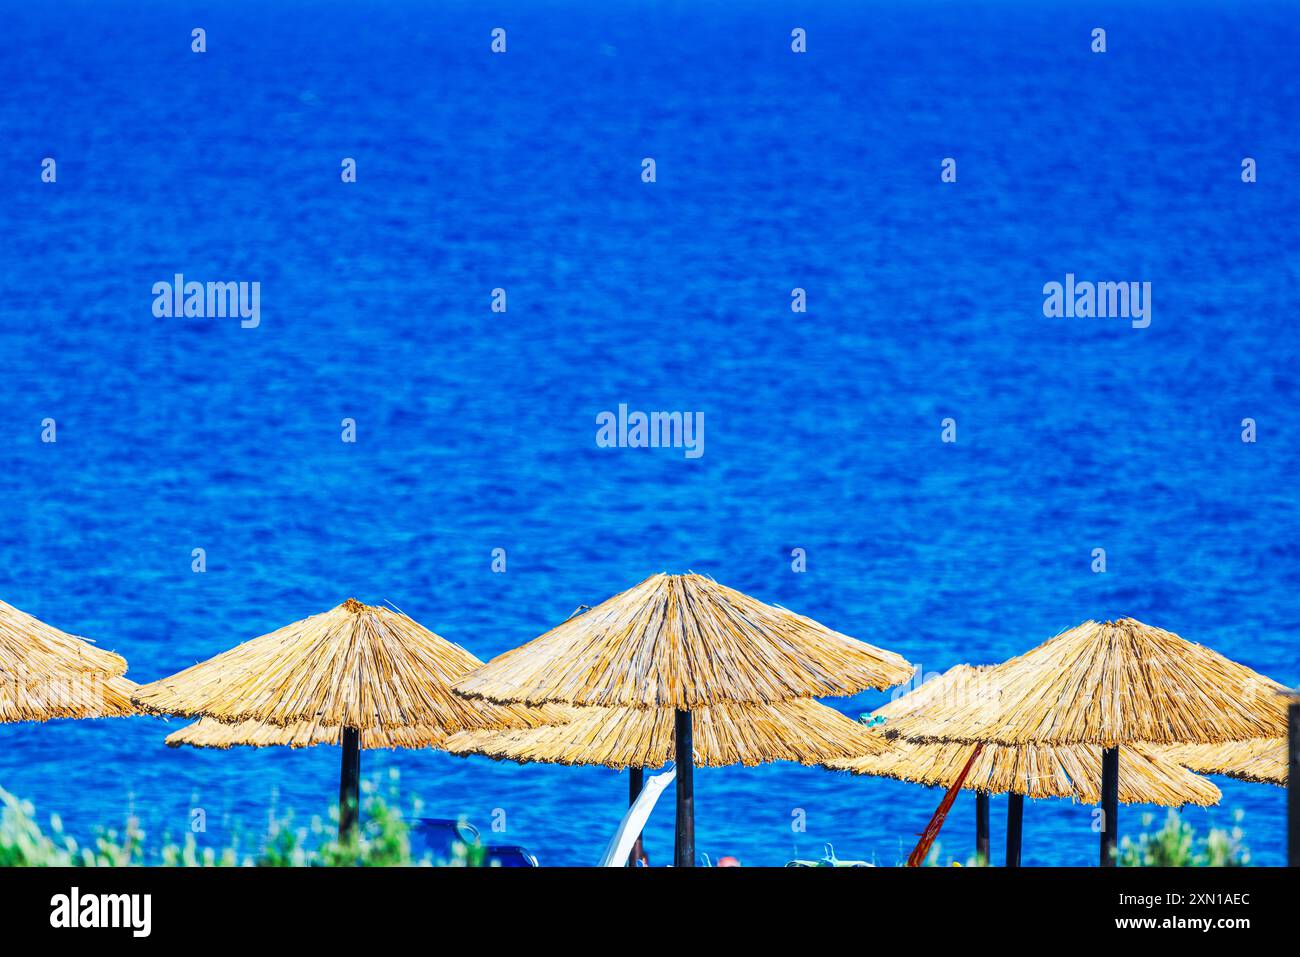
(49, 674)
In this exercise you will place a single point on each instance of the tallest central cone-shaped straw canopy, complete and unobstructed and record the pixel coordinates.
(684, 642)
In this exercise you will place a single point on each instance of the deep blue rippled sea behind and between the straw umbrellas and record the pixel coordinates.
(476, 430)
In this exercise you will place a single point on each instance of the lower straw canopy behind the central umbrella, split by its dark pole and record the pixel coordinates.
(725, 734)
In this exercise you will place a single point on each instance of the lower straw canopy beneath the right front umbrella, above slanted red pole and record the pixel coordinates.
(1072, 772)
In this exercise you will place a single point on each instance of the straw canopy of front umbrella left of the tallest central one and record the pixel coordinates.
(356, 666)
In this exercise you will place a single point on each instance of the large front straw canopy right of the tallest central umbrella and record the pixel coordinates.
(1110, 685)
